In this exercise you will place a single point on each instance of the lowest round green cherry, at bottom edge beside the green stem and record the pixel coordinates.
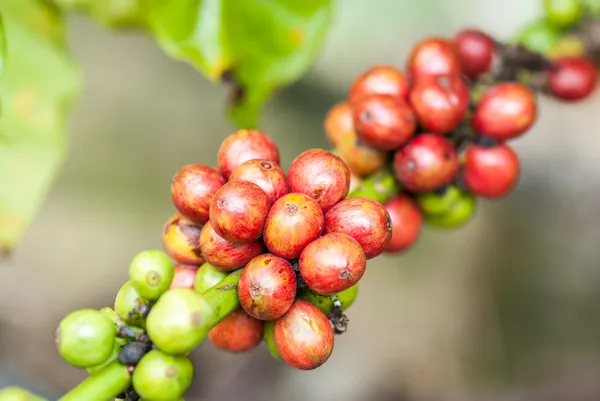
(159, 376)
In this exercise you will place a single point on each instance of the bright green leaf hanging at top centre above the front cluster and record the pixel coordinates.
(263, 45)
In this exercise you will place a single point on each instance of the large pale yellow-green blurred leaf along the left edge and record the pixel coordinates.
(39, 84)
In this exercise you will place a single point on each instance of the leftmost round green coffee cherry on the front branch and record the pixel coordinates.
(85, 338)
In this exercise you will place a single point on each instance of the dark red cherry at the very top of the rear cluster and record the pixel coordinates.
(475, 51)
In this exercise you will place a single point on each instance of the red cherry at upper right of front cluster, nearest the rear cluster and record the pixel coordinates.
(321, 175)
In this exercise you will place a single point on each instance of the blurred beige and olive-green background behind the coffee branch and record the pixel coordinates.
(506, 308)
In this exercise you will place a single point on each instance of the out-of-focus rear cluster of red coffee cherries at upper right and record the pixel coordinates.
(443, 126)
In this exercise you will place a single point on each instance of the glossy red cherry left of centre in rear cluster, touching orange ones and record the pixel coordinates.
(384, 122)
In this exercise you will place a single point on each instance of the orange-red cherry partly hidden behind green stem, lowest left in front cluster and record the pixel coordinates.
(238, 332)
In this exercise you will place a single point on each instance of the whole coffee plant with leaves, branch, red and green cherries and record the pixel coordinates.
(254, 254)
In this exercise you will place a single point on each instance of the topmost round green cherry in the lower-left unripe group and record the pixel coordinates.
(151, 272)
